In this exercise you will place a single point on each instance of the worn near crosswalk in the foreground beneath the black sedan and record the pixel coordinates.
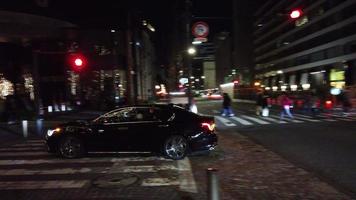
(28, 167)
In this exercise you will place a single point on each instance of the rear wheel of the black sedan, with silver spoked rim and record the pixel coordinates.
(175, 147)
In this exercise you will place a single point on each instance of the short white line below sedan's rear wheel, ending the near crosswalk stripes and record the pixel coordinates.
(186, 178)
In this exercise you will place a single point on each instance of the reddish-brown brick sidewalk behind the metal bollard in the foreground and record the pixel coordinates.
(249, 171)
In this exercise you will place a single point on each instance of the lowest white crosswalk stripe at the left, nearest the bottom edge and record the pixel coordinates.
(30, 185)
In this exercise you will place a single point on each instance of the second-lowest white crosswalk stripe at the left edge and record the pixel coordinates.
(17, 172)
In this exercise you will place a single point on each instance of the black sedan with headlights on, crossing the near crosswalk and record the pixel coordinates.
(168, 129)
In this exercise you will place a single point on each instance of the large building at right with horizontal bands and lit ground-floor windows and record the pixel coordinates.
(315, 52)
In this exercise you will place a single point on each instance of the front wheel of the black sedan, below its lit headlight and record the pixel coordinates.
(71, 147)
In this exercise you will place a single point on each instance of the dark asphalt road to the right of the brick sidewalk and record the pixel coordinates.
(325, 148)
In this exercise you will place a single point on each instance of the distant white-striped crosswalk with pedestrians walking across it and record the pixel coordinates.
(244, 119)
